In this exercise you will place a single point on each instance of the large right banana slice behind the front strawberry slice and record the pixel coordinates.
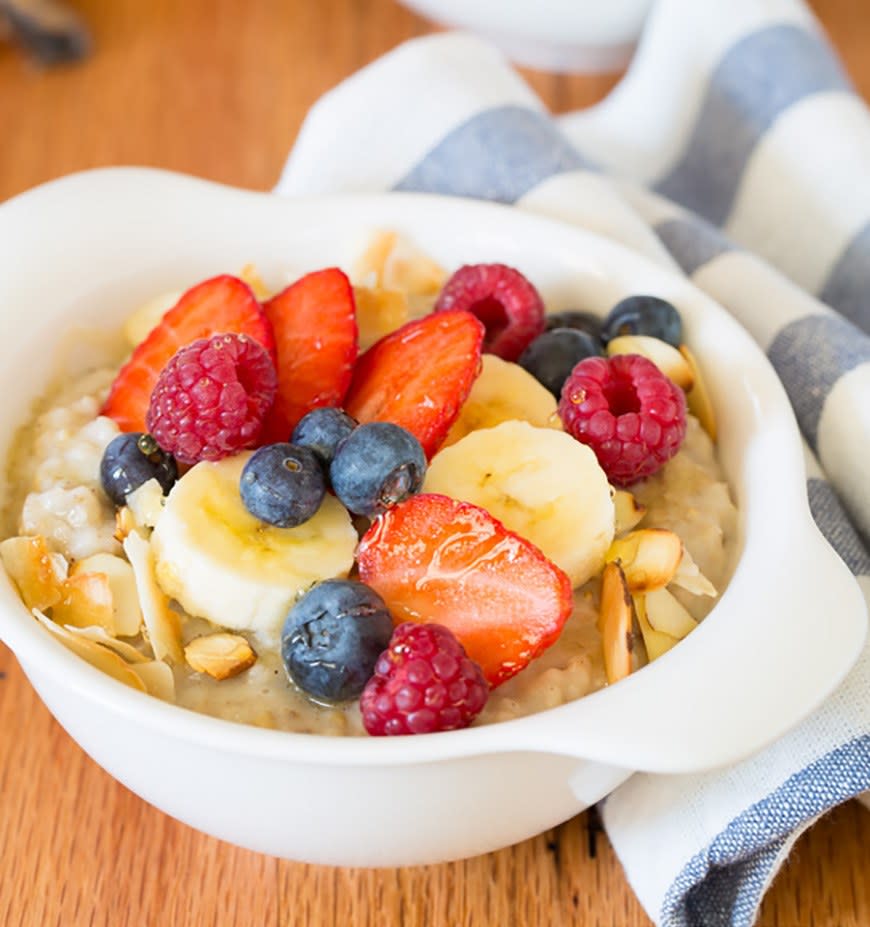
(541, 483)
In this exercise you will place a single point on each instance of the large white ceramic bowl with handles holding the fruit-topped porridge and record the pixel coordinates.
(84, 250)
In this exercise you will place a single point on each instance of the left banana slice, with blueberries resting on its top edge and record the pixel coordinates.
(221, 563)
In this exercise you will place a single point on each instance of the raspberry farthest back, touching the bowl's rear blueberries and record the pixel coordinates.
(508, 305)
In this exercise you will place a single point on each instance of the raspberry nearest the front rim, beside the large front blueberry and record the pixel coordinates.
(423, 682)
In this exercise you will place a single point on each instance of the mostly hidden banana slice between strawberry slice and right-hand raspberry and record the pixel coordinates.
(504, 392)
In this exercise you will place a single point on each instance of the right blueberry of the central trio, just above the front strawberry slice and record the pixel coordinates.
(377, 466)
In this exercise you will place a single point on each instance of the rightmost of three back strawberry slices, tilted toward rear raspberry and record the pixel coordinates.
(419, 376)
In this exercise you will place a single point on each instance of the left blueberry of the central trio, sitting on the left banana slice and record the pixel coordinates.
(283, 484)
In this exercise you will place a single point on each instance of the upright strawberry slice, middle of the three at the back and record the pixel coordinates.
(314, 321)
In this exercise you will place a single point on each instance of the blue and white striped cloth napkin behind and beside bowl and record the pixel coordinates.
(735, 150)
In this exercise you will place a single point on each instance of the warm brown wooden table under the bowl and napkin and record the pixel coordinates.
(219, 88)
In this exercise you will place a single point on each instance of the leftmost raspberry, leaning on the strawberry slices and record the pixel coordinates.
(210, 400)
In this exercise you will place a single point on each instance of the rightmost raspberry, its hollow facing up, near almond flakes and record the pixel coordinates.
(627, 411)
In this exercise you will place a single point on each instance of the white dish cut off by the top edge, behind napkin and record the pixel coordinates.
(552, 35)
